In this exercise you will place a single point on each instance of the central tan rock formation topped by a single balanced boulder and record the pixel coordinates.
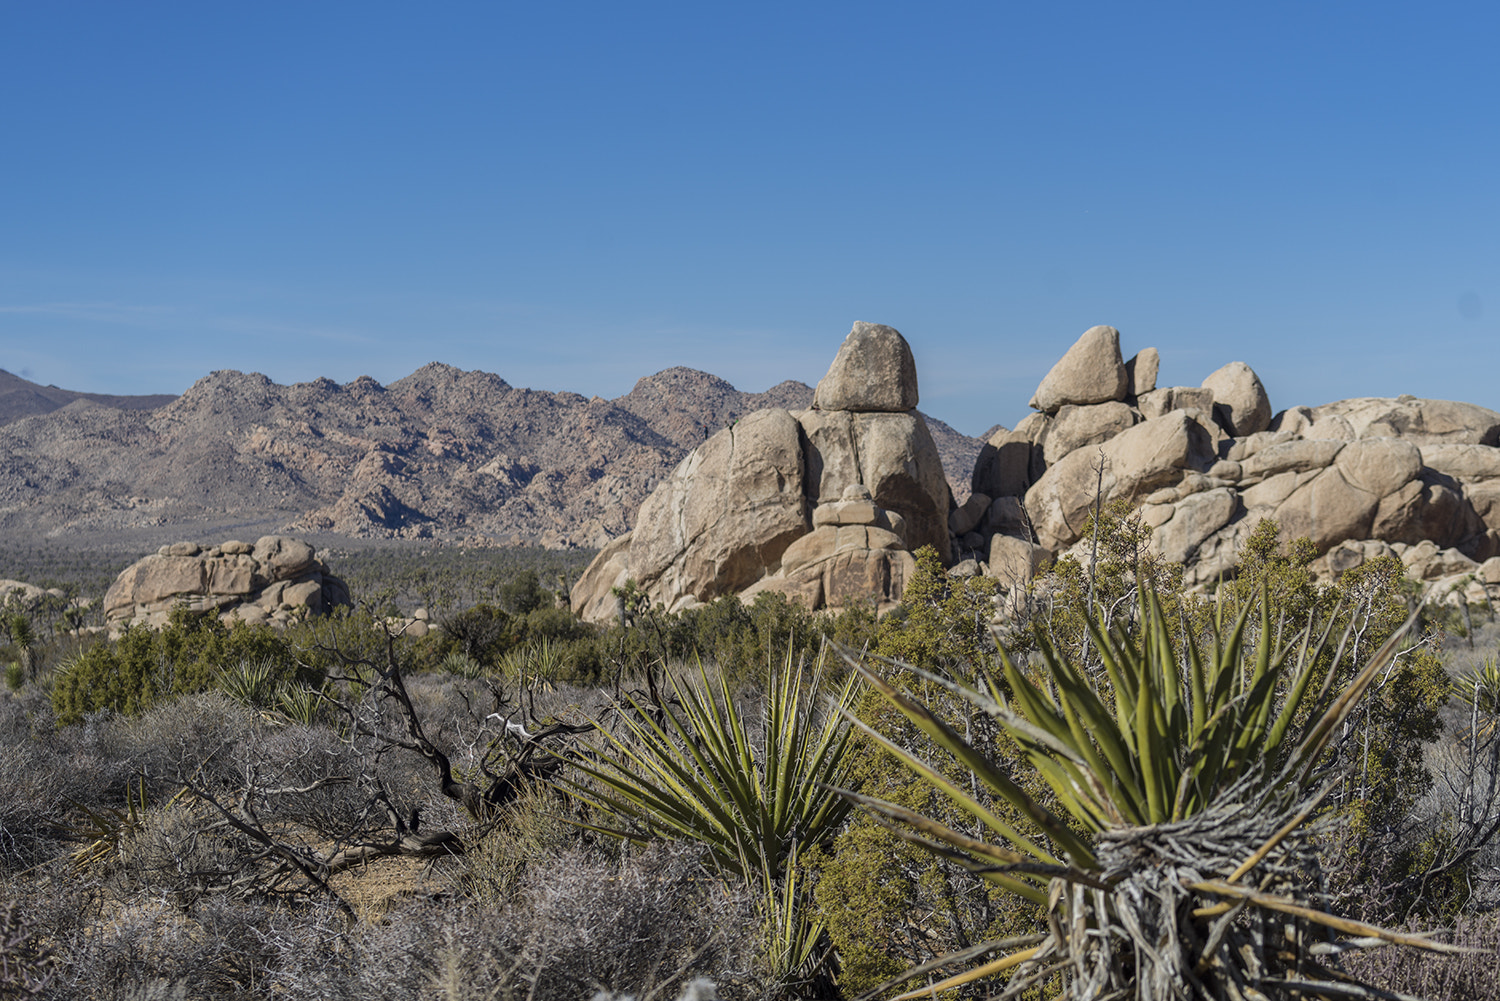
(823, 505)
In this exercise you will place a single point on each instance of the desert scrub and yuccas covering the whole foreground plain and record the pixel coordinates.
(1130, 792)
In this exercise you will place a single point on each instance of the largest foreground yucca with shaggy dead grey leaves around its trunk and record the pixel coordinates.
(1177, 856)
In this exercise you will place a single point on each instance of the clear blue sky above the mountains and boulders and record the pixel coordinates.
(575, 196)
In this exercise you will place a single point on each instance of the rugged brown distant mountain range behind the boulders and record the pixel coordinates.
(440, 454)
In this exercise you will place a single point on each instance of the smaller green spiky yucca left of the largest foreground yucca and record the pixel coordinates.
(695, 771)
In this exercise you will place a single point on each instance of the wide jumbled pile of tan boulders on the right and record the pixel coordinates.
(1204, 466)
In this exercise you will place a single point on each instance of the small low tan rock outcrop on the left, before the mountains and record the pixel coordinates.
(272, 582)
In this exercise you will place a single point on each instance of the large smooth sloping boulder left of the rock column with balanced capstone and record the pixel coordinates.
(727, 514)
